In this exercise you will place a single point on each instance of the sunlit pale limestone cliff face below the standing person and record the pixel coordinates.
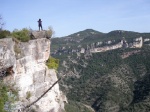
(30, 74)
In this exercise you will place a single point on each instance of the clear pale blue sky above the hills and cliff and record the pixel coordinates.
(66, 17)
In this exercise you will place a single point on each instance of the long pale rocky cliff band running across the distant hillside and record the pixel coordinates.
(98, 47)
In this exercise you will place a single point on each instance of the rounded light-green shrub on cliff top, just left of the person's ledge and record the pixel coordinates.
(22, 35)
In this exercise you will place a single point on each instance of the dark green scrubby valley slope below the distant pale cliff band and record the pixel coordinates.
(108, 82)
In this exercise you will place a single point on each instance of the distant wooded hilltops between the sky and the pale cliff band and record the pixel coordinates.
(89, 36)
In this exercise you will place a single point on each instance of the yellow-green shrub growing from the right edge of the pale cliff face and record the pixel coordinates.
(52, 63)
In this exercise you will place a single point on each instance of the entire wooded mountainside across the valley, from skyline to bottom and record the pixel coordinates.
(116, 80)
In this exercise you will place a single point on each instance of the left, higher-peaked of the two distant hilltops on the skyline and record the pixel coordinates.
(75, 39)
